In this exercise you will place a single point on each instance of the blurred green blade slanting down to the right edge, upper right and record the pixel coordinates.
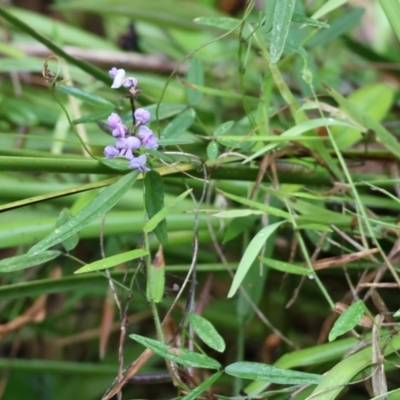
(361, 117)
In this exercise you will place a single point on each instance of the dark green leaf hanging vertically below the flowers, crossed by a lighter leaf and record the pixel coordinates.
(154, 202)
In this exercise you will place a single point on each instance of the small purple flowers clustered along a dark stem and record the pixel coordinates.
(131, 145)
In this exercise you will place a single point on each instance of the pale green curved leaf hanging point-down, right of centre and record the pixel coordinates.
(250, 254)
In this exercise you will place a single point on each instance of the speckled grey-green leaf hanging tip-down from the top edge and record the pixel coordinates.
(280, 27)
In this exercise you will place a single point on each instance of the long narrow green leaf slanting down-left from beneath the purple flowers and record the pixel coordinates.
(100, 205)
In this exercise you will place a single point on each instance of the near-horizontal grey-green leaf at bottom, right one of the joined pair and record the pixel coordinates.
(265, 372)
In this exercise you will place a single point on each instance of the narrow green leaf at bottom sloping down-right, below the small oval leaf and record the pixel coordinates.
(179, 356)
